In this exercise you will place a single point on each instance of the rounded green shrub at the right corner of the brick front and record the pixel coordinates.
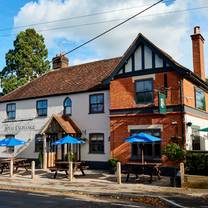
(174, 152)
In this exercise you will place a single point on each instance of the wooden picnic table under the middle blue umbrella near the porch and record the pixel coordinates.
(61, 166)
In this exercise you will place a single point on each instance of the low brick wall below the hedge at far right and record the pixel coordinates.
(195, 181)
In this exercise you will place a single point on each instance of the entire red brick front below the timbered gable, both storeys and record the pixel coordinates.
(122, 96)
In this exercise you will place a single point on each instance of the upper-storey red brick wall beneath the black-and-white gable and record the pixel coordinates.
(122, 91)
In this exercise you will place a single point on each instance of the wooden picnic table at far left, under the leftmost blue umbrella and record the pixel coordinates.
(18, 162)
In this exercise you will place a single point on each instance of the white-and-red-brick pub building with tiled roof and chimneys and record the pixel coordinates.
(105, 101)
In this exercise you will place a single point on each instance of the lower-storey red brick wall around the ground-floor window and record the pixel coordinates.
(171, 127)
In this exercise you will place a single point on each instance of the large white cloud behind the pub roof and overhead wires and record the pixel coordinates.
(168, 32)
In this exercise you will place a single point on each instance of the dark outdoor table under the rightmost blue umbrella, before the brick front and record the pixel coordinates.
(141, 168)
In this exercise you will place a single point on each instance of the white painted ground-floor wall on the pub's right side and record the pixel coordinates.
(202, 123)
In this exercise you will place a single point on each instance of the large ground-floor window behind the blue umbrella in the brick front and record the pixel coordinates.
(152, 151)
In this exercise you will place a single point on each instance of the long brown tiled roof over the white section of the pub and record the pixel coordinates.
(79, 78)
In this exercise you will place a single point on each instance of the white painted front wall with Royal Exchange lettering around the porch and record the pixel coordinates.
(26, 116)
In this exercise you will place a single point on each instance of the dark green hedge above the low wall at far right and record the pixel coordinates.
(197, 163)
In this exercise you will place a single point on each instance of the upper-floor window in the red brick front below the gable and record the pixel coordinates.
(144, 91)
